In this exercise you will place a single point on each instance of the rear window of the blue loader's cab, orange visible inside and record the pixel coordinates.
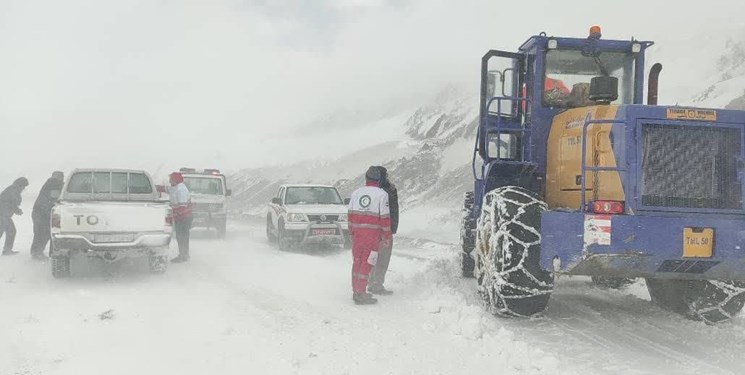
(568, 75)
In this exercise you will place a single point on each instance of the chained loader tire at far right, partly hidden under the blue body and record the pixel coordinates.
(711, 301)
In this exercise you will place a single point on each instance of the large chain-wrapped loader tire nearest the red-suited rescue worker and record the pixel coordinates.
(508, 245)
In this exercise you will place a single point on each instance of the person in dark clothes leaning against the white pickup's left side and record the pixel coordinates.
(42, 213)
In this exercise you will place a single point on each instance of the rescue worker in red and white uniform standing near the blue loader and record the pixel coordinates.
(370, 229)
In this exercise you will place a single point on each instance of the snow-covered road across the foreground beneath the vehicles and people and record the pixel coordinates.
(241, 306)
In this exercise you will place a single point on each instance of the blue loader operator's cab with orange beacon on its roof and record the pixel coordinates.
(522, 92)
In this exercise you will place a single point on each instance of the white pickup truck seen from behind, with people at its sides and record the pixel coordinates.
(110, 214)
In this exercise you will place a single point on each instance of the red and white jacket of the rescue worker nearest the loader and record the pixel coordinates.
(369, 217)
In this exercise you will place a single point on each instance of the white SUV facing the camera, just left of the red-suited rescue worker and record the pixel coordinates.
(307, 214)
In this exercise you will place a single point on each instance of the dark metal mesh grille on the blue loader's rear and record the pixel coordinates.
(690, 167)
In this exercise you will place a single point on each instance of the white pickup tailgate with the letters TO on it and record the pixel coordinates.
(92, 217)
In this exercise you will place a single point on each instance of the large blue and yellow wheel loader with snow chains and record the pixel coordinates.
(575, 175)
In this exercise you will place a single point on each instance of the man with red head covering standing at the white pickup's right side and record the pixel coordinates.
(182, 216)
